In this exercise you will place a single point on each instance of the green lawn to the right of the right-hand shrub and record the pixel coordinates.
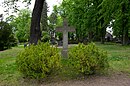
(119, 57)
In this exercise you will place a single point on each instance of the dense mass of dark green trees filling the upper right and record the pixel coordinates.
(92, 17)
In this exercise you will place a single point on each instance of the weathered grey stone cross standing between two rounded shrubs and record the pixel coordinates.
(65, 29)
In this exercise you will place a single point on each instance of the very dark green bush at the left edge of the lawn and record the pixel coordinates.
(7, 38)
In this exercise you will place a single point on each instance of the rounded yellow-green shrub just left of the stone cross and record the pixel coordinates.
(39, 61)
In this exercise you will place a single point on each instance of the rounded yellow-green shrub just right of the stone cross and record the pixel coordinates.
(88, 59)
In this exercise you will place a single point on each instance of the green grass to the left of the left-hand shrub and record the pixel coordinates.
(8, 70)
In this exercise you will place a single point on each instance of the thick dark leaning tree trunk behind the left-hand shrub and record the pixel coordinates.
(35, 32)
